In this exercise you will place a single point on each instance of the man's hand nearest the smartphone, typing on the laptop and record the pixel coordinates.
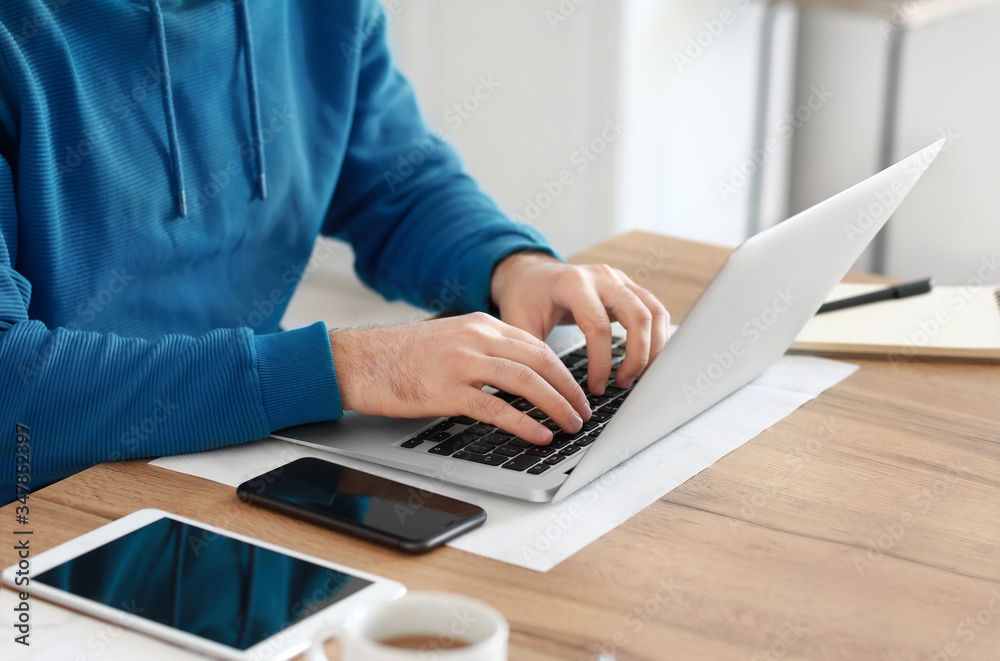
(438, 368)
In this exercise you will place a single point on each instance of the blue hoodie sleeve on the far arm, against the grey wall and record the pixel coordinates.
(421, 229)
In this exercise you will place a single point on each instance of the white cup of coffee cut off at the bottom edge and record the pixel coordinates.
(436, 619)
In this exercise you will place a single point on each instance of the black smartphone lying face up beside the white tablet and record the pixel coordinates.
(362, 504)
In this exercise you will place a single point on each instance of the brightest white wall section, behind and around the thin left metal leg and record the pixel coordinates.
(689, 92)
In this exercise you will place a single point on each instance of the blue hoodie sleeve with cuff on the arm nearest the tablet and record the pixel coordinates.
(83, 398)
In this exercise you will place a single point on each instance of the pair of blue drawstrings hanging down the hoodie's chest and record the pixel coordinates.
(171, 114)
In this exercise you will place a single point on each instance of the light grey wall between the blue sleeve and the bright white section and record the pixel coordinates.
(558, 89)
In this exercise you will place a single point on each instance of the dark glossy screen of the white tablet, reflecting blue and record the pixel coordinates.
(203, 583)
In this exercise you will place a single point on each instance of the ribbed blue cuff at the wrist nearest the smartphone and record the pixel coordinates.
(297, 380)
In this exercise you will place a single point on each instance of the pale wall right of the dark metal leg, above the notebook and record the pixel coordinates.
(951, 87)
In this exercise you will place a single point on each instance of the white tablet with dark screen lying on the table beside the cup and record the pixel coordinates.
(200, 587)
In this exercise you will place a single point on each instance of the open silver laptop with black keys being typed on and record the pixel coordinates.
(744, 321)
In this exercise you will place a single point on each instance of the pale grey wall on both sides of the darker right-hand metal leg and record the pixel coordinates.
(949, 87)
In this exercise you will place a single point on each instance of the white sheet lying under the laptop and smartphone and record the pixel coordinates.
(539, 536)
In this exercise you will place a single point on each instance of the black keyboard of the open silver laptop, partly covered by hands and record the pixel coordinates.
(461, 437)
